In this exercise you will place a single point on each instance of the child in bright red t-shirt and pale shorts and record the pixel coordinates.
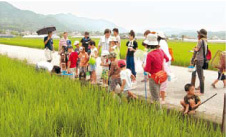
(73, 56)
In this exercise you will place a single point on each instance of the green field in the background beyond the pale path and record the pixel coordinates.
(180, 49)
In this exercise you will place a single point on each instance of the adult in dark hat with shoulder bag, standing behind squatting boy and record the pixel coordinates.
(198, 59)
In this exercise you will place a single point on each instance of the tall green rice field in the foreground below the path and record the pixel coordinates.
(36, 104)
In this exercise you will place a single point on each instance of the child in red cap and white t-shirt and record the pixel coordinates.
(126, 79)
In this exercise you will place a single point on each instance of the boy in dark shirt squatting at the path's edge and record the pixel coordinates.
(191, 101)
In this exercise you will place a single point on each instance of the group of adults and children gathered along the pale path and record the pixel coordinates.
(81, 61)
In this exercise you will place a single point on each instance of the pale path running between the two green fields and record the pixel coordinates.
(175, 91)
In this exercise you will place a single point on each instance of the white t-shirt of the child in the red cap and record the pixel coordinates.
(126, 75)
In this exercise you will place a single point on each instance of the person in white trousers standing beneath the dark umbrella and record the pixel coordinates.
(48, 42)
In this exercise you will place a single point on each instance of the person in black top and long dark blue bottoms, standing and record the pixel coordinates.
(132, 47)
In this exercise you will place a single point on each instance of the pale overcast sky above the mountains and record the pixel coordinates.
(140, 15)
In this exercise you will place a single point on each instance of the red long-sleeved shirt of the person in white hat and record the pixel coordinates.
(154, 62)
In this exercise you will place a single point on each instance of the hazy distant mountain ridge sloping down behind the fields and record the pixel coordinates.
(23, 20)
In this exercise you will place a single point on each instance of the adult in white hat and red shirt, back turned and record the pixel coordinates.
(154, 64)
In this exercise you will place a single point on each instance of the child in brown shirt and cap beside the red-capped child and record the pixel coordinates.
(114, 73)
